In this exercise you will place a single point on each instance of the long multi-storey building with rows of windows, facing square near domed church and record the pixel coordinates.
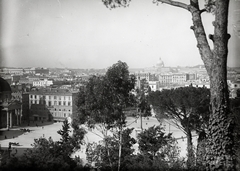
(52, 104)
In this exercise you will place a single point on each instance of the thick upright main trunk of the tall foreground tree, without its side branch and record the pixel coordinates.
(220, 131)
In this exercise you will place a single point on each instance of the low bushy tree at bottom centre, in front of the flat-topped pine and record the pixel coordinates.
(158, 151)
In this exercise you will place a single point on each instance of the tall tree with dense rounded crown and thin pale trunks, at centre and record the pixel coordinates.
(104, 99)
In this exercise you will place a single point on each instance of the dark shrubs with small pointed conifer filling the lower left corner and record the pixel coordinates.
(47, 154)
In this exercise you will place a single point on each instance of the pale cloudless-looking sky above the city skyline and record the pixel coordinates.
(85, 34)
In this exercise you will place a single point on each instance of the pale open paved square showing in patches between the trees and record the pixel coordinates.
(47, 129)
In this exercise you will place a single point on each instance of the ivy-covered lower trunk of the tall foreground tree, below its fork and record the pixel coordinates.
(220, 138)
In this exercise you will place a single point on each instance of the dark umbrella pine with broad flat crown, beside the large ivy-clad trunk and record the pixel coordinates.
(188, 107)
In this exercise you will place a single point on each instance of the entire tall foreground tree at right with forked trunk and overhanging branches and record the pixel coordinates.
(220, 153)
